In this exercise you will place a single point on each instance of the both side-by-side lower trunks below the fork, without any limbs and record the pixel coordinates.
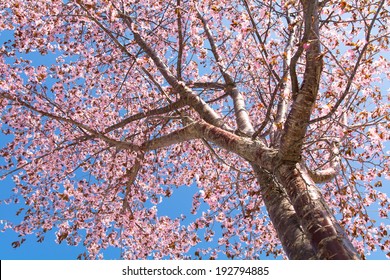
(305, 225)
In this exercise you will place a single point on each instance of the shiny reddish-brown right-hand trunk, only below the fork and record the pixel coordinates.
(326, 235)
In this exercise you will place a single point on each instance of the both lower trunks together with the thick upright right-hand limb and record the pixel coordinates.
(303, 203)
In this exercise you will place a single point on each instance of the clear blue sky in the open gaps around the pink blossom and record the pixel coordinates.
(31, 249)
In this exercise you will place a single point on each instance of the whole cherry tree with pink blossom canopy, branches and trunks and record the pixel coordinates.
(275, 112)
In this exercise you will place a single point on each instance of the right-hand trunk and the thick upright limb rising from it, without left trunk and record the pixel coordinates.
(326, 236)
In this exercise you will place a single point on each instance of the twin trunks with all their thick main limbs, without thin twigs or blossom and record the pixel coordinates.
(306, 227)
